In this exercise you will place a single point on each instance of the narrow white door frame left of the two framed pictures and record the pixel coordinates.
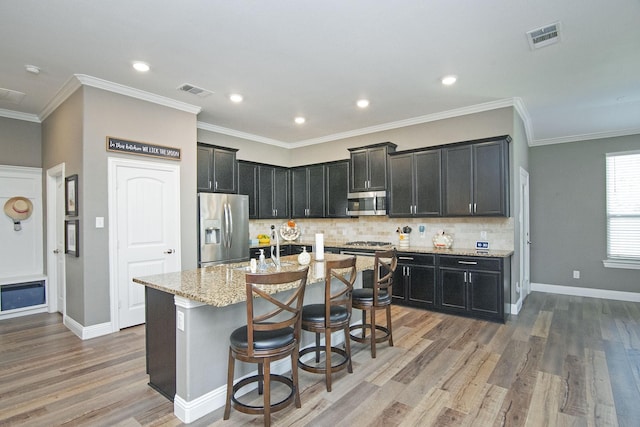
(53, 212)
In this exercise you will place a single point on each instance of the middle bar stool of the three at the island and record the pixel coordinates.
(333, 315)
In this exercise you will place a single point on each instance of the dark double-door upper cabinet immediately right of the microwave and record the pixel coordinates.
(415, 184)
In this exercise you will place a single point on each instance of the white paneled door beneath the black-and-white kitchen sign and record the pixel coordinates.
(147, 230)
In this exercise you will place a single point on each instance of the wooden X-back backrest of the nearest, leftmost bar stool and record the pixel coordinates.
(280, 312)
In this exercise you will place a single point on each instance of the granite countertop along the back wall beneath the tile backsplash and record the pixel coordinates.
(414, 249)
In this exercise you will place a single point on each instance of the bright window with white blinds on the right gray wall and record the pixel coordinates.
(623, 209)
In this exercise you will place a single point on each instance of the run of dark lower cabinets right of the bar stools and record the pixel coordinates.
(472, 286)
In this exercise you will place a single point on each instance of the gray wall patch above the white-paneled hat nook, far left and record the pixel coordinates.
(20, 143)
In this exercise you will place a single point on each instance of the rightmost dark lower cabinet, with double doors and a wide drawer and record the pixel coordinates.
(474, 286)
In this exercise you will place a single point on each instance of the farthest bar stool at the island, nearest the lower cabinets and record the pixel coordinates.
(376, 298)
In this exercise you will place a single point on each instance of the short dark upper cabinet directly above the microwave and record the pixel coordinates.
(369, 167)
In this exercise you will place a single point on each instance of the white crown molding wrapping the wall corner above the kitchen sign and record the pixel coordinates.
(78, 80)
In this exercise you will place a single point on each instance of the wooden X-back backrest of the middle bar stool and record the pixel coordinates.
(338, 292)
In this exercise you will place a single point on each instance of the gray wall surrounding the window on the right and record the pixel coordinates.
(568, 215)
